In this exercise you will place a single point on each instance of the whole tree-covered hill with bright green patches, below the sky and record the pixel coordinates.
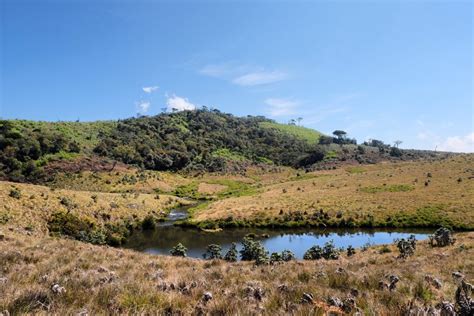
(194, 141)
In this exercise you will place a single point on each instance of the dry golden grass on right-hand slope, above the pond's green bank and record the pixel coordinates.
(361, 191)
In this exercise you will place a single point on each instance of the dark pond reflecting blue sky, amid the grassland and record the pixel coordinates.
(298, 240)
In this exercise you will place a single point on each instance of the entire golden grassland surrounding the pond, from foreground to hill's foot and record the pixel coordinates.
(105, 280)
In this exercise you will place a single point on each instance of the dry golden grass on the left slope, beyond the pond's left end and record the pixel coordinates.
(36, 204)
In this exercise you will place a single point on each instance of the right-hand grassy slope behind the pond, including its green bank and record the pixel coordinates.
(419, 193)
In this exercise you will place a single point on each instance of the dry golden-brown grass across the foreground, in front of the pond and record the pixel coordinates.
(103, 280)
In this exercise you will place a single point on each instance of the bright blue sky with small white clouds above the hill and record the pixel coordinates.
(387, 70)
